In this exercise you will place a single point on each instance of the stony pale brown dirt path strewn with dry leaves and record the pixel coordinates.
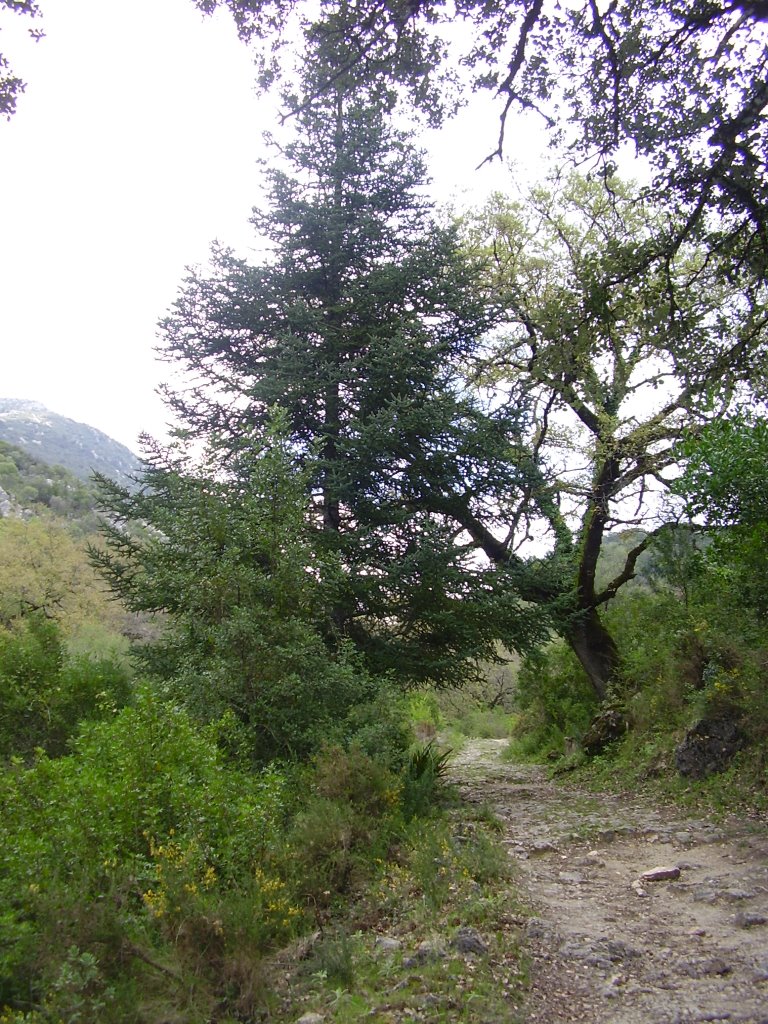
(605, 951)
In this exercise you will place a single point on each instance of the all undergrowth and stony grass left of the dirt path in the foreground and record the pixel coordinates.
(147, 879)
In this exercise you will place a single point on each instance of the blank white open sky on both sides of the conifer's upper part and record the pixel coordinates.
(134, 148)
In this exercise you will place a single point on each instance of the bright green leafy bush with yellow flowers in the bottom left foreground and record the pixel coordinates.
(142, 837)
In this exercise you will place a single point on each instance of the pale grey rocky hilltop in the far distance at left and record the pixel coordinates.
(61, 442)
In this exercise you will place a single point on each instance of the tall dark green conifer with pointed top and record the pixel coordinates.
(359, 327)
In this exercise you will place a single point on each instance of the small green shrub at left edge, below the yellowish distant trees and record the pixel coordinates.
(47, 692)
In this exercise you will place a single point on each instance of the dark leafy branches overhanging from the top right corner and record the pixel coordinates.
(685, 86)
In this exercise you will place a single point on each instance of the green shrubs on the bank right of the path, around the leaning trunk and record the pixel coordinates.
(694, 650)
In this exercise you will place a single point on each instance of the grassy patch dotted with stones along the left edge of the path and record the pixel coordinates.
(452, 875)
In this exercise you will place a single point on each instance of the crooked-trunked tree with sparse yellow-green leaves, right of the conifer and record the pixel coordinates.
(620, 350)
